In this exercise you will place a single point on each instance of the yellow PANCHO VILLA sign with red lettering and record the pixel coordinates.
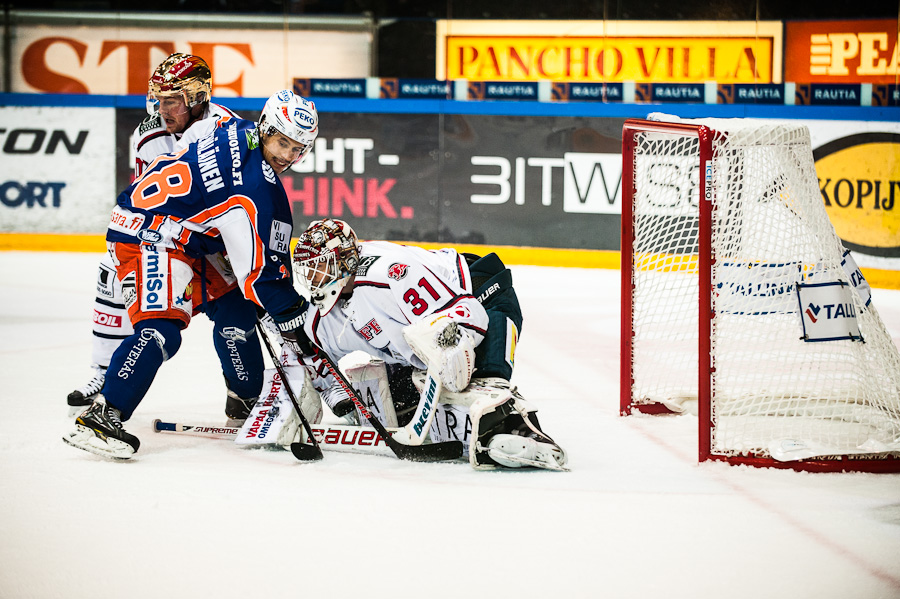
(641, 51)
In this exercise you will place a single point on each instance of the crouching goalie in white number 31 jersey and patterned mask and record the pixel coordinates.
(411, 308)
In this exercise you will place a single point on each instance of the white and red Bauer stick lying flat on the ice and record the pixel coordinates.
(345, 438)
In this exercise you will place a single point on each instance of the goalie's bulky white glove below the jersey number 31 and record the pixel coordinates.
(440, 341)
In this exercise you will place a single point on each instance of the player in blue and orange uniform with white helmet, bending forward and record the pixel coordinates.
(222, 192)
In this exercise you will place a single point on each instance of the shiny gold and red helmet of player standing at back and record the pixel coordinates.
(183, 78)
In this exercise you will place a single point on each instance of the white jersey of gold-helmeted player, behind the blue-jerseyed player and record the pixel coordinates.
(150, 139)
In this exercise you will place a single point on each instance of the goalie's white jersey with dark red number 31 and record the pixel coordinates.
(396, 286)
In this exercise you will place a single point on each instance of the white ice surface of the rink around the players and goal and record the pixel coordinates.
(191, 517)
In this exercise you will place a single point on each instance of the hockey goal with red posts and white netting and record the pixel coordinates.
(740, 303)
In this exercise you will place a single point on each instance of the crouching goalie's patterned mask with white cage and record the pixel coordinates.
(325, 260)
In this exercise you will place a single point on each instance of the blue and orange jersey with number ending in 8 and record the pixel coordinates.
(218, 194)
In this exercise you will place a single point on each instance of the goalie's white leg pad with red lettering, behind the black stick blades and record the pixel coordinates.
(273, 420)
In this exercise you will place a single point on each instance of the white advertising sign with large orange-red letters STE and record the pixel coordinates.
(245, 60)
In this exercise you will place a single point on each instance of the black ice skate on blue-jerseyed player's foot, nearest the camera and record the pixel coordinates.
(99, 430)
